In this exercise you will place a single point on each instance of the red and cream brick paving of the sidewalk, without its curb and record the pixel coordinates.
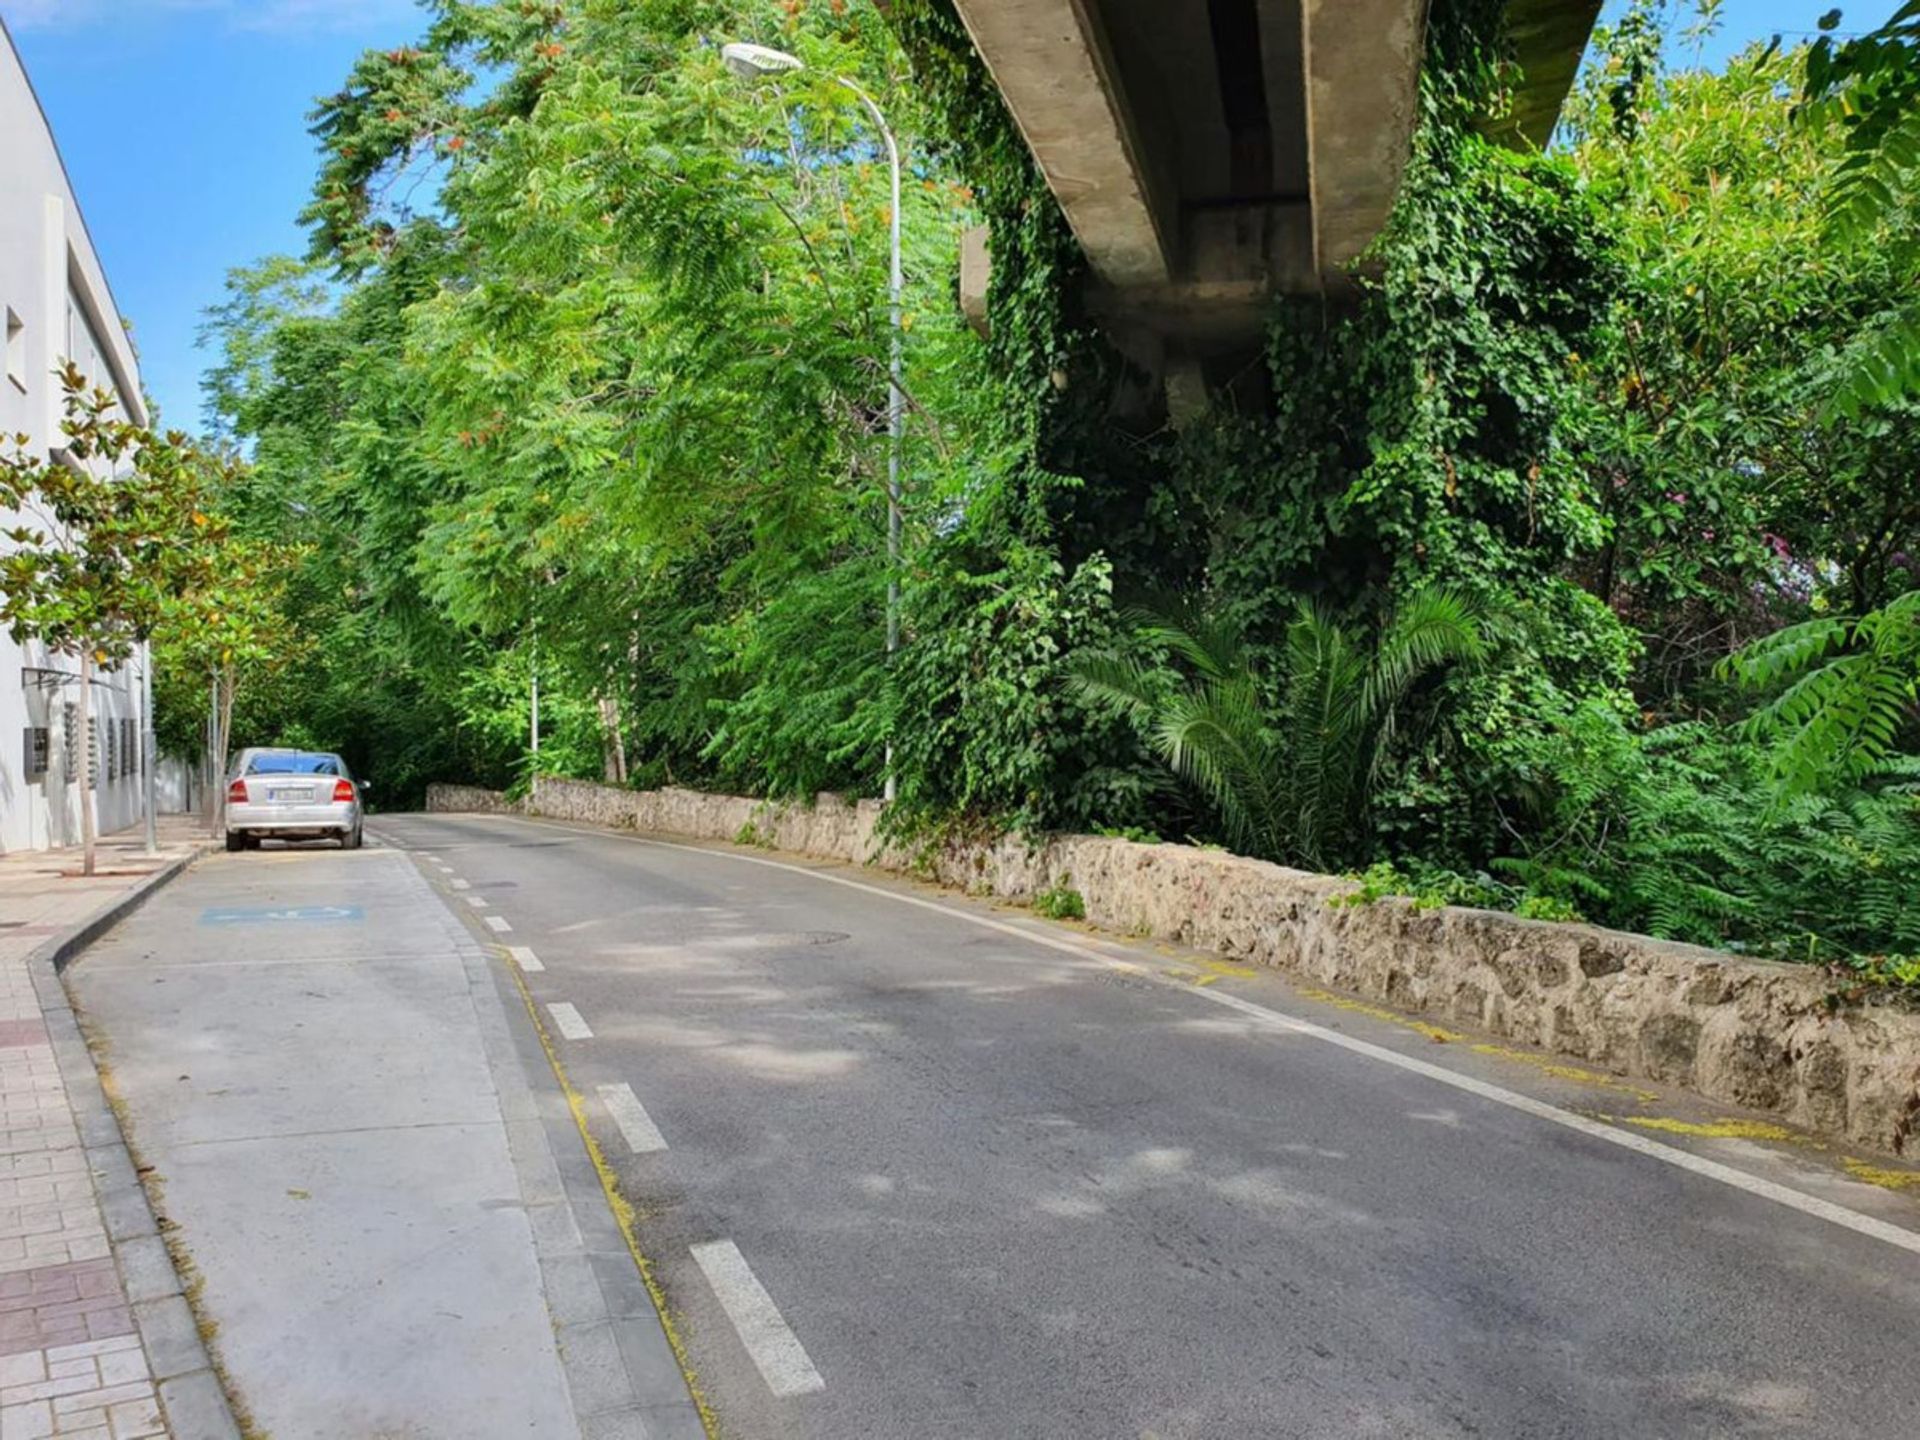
(72, 1362)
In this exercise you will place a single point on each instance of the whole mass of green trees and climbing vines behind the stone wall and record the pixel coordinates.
(1522, 567)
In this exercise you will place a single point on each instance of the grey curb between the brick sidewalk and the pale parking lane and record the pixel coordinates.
(189, 1387)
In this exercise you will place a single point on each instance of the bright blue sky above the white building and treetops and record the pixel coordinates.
(183, 124)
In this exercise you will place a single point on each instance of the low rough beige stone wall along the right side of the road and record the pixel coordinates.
(1744, 1032)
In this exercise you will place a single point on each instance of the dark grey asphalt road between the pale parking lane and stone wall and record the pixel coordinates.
(911, 1176)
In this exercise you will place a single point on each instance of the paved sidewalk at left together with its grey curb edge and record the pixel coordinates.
(97, 1341)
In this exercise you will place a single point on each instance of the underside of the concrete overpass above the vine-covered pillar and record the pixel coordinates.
(1214, 153)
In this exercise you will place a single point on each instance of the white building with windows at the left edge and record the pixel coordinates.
(57, 308)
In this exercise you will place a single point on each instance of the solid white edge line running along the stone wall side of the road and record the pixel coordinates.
(1687, 1161)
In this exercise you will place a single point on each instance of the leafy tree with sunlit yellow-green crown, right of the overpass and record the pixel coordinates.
(1731, 506)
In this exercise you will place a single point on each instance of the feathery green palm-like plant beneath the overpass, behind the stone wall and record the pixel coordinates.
(1285, 761)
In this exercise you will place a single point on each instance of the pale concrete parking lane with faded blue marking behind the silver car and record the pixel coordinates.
(370, 1164)
